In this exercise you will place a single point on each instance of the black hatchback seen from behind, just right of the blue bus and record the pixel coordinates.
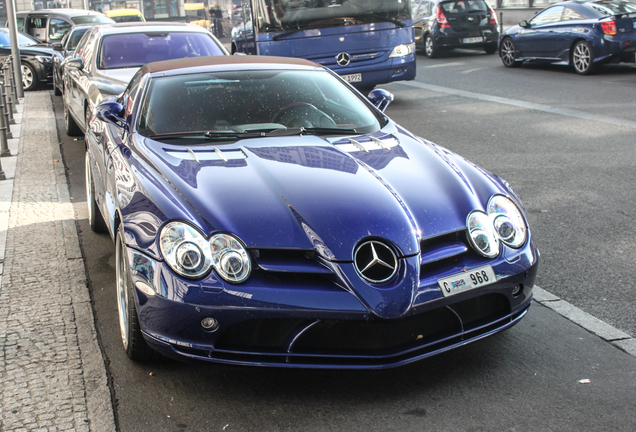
(441, 25)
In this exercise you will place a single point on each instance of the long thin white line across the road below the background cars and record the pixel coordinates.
(522, 104)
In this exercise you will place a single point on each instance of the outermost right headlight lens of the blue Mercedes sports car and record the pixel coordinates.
(507, 221)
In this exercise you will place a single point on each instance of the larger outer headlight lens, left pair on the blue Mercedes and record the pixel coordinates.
(185, 250)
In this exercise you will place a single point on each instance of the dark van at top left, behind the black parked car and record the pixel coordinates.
(50, 25)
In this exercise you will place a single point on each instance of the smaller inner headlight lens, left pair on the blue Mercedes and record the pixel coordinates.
(230, 259)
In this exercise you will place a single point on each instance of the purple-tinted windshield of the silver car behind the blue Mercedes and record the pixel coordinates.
(137, 49)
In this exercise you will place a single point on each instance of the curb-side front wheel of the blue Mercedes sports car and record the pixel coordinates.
(134, 344)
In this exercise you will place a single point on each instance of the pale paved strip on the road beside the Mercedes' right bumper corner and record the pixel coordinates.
(589, 322)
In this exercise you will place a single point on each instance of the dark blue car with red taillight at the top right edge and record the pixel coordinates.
(583, 35)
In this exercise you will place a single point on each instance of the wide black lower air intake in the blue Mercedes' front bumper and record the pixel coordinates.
(358, 337)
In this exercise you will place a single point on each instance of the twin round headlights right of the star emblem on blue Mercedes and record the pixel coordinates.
(503, 222)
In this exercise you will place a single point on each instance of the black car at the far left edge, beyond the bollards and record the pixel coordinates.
(36, 58)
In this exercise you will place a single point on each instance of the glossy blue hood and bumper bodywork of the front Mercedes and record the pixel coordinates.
(328, 208)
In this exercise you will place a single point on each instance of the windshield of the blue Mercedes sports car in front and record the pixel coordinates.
(238, 102)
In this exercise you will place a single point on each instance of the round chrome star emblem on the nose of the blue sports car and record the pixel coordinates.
(375, 261)
